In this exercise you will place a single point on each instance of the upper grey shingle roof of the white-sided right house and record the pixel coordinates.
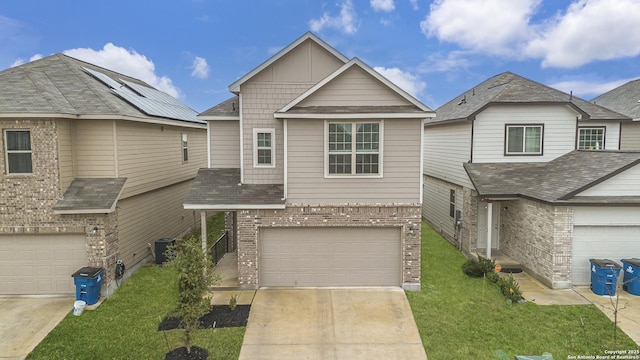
(509, 88)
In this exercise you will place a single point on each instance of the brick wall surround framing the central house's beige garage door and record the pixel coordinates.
(405, 216)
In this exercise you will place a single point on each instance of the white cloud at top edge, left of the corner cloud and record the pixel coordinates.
(491, 26)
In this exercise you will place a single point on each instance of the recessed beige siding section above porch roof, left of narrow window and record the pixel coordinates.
(225, 144)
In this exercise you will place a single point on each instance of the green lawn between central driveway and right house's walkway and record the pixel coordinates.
(467, 318)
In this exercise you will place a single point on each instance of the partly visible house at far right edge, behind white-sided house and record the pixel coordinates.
(625, 99)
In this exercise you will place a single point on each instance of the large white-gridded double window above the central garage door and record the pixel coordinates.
(354, 155)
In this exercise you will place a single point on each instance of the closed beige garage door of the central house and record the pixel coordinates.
(330, 257)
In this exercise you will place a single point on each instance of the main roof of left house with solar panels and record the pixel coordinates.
(61, 86)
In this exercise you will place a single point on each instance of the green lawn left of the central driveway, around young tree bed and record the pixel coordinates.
(125, 325)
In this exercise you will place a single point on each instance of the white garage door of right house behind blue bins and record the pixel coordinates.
(601, 242)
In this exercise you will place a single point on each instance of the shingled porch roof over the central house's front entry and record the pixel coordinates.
(221, 189)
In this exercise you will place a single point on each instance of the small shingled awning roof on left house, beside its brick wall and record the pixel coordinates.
(90, 196)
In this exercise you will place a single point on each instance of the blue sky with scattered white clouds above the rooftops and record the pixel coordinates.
(193, 49)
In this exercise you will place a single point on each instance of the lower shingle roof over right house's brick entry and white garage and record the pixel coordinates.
(557, 181)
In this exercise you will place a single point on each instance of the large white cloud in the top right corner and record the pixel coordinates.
(589, 30)
